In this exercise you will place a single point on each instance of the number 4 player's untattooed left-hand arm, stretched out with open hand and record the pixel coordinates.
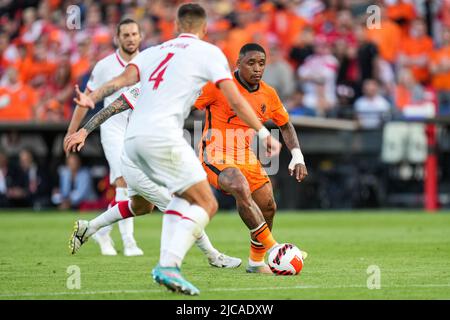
(127, 78)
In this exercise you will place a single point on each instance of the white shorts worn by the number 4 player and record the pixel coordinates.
(168, 162)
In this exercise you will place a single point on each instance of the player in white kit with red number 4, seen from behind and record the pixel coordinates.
(171, 76)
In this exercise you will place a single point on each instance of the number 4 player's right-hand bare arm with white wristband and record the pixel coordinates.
(245, 112)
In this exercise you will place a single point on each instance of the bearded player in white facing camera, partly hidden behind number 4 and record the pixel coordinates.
(112, 132)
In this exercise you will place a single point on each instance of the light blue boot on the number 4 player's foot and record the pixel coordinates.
(171, 278)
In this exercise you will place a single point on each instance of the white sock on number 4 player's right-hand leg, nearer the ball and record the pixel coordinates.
(187, 230)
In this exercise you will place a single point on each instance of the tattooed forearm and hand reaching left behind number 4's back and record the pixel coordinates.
(76, 140)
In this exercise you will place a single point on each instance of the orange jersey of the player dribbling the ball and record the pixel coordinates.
(225, 136)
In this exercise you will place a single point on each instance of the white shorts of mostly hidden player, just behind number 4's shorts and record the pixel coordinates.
(139, 184)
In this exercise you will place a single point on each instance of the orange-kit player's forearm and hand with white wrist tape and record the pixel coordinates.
(297, 166)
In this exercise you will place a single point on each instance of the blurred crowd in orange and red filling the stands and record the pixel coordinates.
(331, 58)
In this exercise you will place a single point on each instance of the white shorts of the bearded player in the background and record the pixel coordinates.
(112, 143)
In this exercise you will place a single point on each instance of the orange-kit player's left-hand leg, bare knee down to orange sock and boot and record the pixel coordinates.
(233, 181)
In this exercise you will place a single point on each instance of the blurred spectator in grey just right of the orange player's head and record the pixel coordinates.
(279, 74)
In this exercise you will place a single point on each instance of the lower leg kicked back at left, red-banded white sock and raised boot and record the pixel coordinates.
(83, 229)
